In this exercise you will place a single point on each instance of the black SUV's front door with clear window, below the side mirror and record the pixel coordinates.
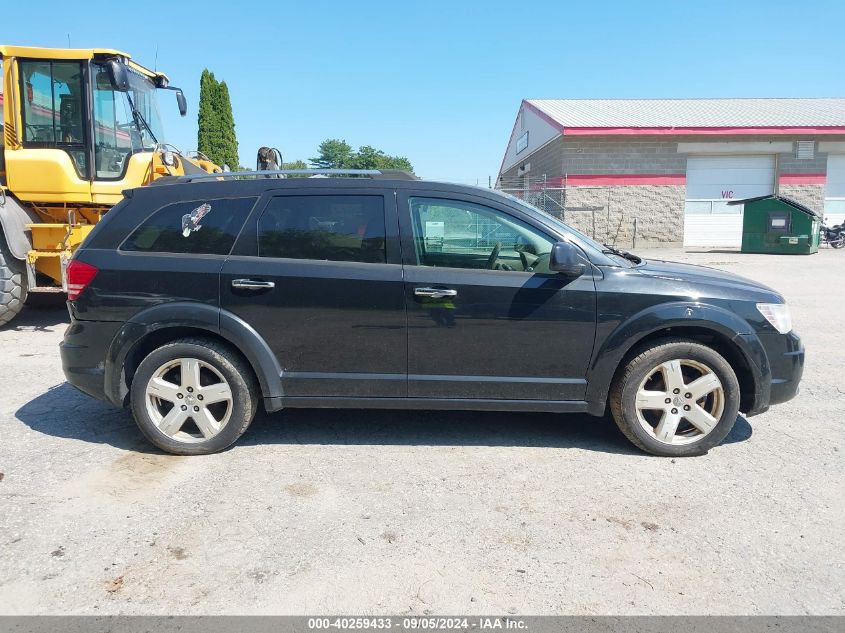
(486, 317)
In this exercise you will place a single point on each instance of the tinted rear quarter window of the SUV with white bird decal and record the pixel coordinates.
(198, 227)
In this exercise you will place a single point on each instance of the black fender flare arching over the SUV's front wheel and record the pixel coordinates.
(609, 352)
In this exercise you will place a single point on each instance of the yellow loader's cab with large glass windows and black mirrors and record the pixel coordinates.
(82, 125)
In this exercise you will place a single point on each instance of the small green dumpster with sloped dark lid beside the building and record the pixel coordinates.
(774, 224)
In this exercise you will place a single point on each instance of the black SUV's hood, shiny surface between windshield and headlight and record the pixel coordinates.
(691, 277)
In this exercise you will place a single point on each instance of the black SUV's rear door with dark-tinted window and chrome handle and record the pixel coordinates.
(318, 275)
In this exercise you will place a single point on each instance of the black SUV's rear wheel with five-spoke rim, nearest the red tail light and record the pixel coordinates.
(194, 396)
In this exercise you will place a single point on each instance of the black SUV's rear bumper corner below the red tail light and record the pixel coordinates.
(83, 353)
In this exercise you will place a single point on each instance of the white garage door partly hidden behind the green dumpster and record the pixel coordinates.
(712, 182)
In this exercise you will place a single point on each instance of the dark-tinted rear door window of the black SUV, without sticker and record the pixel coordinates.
(332, 228)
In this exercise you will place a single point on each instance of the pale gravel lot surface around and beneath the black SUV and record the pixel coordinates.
(426, 512)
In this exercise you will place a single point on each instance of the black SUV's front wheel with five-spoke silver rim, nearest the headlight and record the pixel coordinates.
(658, 405)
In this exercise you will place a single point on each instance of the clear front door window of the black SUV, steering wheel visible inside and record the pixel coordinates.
(458, 234)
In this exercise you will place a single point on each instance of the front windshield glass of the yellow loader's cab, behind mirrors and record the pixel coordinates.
(124, 122)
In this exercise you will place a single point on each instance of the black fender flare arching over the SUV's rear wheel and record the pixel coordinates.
(198, 316)
